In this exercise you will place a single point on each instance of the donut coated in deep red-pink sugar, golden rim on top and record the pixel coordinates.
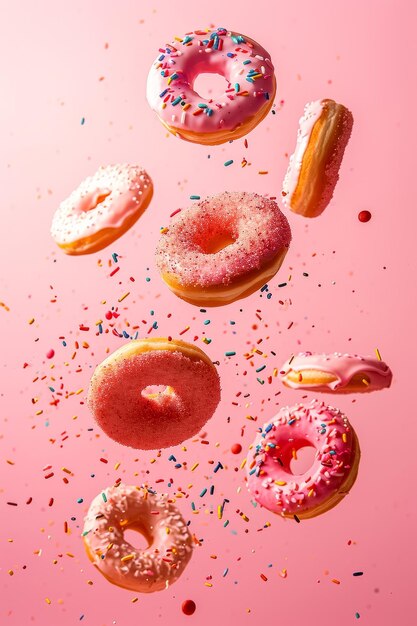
(122, 399)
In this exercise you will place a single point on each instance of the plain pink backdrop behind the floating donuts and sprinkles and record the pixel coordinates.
(55, 69)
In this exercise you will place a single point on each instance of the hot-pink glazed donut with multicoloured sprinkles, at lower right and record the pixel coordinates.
(325, 483)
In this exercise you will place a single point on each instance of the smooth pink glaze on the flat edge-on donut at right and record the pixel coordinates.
(343, 366)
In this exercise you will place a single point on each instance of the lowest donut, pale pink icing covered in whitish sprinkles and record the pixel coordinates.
(117, 509)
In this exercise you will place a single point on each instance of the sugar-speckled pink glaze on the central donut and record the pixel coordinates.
(259, 230)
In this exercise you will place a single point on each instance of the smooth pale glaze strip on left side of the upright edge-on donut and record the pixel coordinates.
(312, 113)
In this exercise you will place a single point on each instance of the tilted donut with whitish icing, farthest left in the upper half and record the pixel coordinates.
(101, 209)
